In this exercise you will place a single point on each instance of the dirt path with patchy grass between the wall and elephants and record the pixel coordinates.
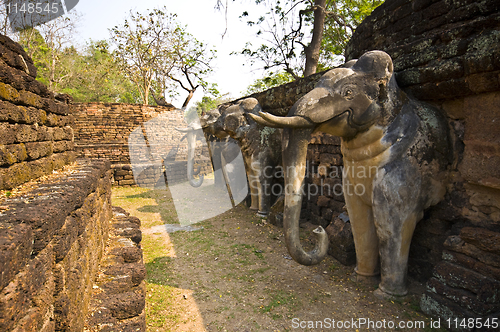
(235, 275)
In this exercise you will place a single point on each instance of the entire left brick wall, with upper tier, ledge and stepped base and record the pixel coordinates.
(53, 233)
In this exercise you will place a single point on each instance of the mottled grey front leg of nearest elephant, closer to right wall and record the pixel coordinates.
(396, 209)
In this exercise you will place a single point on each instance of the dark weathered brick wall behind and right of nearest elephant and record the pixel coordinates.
(448, 53)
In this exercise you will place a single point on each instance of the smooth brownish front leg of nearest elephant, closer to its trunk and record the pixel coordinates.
(363, 230)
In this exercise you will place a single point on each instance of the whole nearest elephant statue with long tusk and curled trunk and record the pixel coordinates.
(396, 152)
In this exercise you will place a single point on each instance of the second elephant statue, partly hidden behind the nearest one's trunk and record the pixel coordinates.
(260, 146)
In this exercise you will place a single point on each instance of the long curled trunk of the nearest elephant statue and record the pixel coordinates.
(295, 142)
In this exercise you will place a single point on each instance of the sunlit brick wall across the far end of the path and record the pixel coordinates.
(102, 131)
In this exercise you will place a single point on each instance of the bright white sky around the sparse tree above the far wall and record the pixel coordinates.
(232, 73)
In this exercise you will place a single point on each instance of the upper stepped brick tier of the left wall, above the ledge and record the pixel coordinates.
(35, 133)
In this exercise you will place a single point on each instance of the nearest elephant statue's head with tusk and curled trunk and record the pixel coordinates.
(345, 102)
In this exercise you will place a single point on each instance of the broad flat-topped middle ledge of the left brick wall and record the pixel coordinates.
(51, 242)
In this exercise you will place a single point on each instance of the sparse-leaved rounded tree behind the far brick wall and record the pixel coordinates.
(154, 50)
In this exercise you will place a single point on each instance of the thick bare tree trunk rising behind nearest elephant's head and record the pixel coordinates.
(312, 50)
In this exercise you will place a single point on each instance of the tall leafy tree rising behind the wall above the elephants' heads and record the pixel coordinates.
(303, 35)
